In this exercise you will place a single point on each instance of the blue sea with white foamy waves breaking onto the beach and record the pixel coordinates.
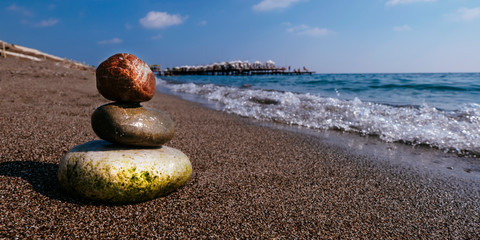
(437, 110)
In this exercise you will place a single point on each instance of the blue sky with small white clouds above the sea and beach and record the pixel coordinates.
(327, 36)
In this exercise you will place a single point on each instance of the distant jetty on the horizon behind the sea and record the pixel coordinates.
(232, 68)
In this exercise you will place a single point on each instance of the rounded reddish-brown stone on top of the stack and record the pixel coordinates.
(125, 78)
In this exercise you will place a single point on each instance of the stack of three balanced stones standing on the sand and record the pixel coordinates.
(130, 164)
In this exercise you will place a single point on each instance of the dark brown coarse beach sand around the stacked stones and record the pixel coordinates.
(249, 181)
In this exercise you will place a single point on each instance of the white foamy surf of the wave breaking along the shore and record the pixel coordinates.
(457, 131)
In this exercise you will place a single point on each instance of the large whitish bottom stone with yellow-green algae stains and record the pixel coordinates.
(102, 171)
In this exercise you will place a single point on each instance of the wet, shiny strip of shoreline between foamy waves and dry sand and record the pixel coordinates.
(423, 158)
